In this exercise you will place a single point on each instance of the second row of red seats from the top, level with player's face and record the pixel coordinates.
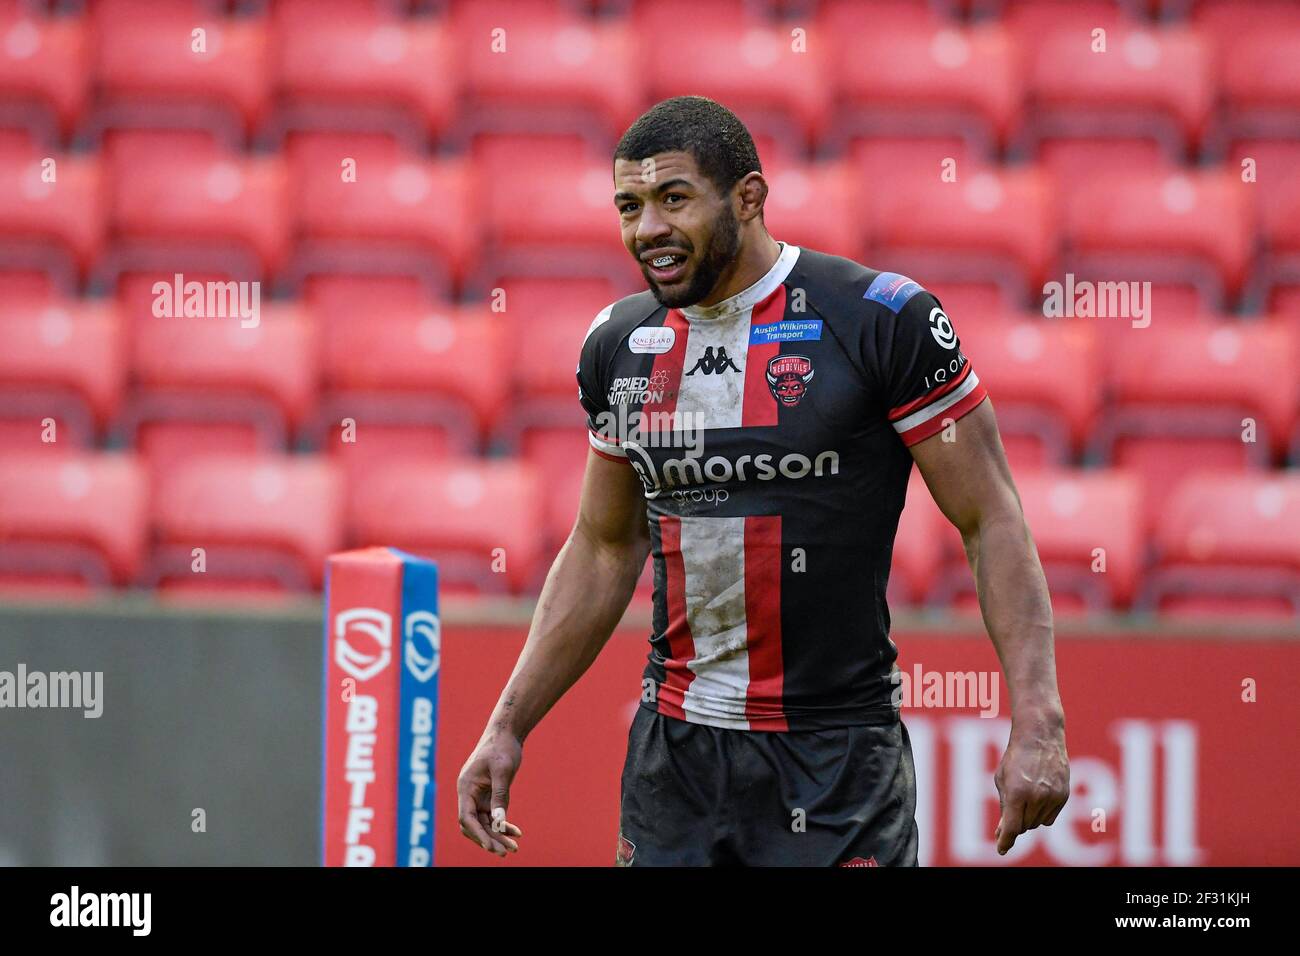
(534, 209)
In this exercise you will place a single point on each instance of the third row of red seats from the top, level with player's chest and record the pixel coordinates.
(1160, 399)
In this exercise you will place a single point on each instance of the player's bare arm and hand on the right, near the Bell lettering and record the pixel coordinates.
(972, 485)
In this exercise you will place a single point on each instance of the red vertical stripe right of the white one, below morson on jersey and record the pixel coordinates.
(764, 624)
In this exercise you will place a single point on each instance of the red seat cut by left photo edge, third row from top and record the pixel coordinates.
(66, 362)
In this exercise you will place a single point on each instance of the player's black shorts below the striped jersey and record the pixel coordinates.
(705, 797)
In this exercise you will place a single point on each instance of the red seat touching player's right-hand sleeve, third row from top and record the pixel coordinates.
(1045, 380)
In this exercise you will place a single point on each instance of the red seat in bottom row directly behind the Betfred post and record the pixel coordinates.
(480, 521)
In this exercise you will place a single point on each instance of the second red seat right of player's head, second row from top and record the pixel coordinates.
(987, 226)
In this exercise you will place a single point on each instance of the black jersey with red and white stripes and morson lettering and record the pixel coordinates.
(772, 434)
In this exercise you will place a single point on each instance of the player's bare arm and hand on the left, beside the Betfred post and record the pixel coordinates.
(584, 598)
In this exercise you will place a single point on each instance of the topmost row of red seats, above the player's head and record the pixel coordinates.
(492, 62)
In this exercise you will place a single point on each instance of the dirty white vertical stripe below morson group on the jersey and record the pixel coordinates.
(713, 552)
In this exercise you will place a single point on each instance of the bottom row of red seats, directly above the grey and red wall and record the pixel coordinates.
(270, 521)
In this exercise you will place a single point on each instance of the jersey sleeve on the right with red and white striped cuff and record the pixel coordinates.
(926, 378)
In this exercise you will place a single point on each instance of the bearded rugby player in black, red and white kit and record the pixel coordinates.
(755, 418)
